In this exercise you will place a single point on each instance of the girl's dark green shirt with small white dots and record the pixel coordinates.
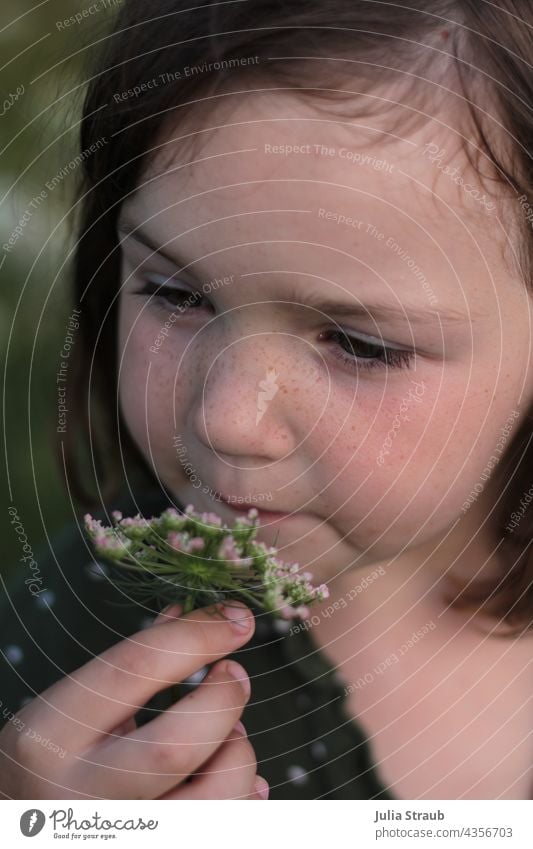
(307, 746)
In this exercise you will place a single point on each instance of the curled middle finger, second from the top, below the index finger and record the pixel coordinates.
(165, 751)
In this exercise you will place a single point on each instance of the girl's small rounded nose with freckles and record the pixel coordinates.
(241, 408)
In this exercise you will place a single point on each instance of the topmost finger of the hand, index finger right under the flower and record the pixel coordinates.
(112, 687)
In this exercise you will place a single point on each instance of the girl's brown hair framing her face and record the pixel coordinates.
(317, 42)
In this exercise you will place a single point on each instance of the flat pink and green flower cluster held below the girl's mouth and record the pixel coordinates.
(194, 559)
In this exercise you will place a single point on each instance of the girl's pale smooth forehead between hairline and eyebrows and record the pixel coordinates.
(277, 174)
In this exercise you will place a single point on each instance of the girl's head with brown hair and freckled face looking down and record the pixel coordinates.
(304, 270)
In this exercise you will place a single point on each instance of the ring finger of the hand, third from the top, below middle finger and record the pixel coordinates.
(228, 774)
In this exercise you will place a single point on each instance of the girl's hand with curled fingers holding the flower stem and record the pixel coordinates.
(90, 716)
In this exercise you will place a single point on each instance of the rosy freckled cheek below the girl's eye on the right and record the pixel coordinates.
(404, 462)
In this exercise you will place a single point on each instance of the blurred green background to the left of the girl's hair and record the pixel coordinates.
(42, 83)
